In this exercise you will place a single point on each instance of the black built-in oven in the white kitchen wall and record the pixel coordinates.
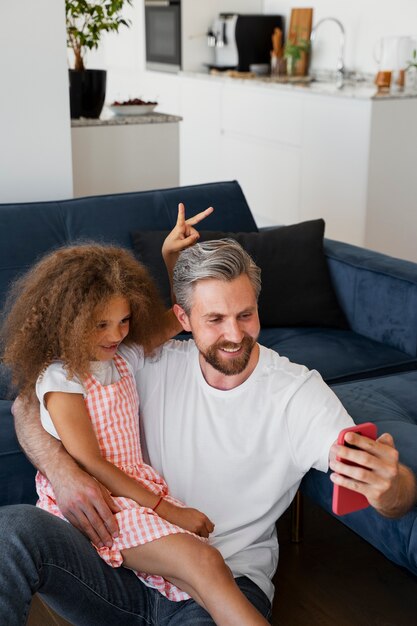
(163, 35)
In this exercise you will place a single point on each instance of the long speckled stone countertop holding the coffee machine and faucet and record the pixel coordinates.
(355, 89)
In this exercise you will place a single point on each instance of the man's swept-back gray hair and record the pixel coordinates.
(221, 259)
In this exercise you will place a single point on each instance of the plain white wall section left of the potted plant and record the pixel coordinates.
(35, 148)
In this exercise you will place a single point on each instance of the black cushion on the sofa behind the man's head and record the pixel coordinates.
(296, 285)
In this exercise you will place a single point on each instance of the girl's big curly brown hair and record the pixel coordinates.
(50, 311)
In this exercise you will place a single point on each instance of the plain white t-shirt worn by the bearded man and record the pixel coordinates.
(237, 455)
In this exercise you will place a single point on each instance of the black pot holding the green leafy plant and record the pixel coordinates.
(87, 93)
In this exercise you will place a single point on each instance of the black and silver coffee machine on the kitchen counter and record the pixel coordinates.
(241, 40)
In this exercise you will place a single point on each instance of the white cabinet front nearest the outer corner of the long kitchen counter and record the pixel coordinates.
(335, 165)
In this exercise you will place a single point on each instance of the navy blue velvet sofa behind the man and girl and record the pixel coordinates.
(372, 365)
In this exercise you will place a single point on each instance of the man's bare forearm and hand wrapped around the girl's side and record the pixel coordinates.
(83, 500)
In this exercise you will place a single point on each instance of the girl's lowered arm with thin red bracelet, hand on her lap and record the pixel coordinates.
(72, 422)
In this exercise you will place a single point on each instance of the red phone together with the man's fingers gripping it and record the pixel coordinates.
(366, 471)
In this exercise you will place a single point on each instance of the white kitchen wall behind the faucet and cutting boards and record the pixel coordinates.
(365, 21)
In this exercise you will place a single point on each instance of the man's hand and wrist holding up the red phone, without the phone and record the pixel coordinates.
(389, 486)
